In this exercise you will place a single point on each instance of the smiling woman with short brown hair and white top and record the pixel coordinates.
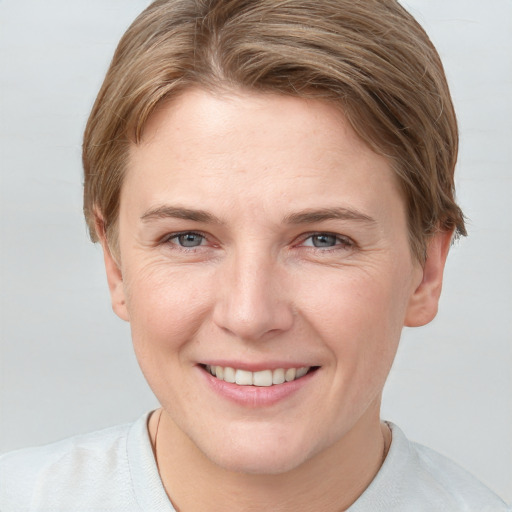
(272, 186)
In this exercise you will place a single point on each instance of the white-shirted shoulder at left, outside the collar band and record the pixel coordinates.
(48, 476)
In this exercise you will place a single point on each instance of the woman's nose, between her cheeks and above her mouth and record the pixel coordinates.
(252, 301)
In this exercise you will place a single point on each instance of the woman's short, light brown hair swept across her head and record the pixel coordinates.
(370, 58)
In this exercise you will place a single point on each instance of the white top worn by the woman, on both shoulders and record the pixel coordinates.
(114, 470)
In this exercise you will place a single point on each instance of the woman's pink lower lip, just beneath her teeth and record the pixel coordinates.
(256, 396)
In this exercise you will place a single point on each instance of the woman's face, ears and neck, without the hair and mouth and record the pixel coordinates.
(257, 290)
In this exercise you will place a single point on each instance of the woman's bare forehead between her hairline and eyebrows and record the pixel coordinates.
(251, 149)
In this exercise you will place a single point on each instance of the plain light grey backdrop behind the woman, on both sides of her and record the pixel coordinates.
(66, 360)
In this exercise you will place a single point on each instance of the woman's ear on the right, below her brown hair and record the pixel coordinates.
(423, 303)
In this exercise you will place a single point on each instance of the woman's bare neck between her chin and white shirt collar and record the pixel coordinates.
(330, 481)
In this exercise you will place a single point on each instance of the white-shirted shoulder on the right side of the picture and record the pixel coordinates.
(414, 477)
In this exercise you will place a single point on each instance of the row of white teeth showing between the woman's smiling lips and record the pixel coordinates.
(263, 378)
